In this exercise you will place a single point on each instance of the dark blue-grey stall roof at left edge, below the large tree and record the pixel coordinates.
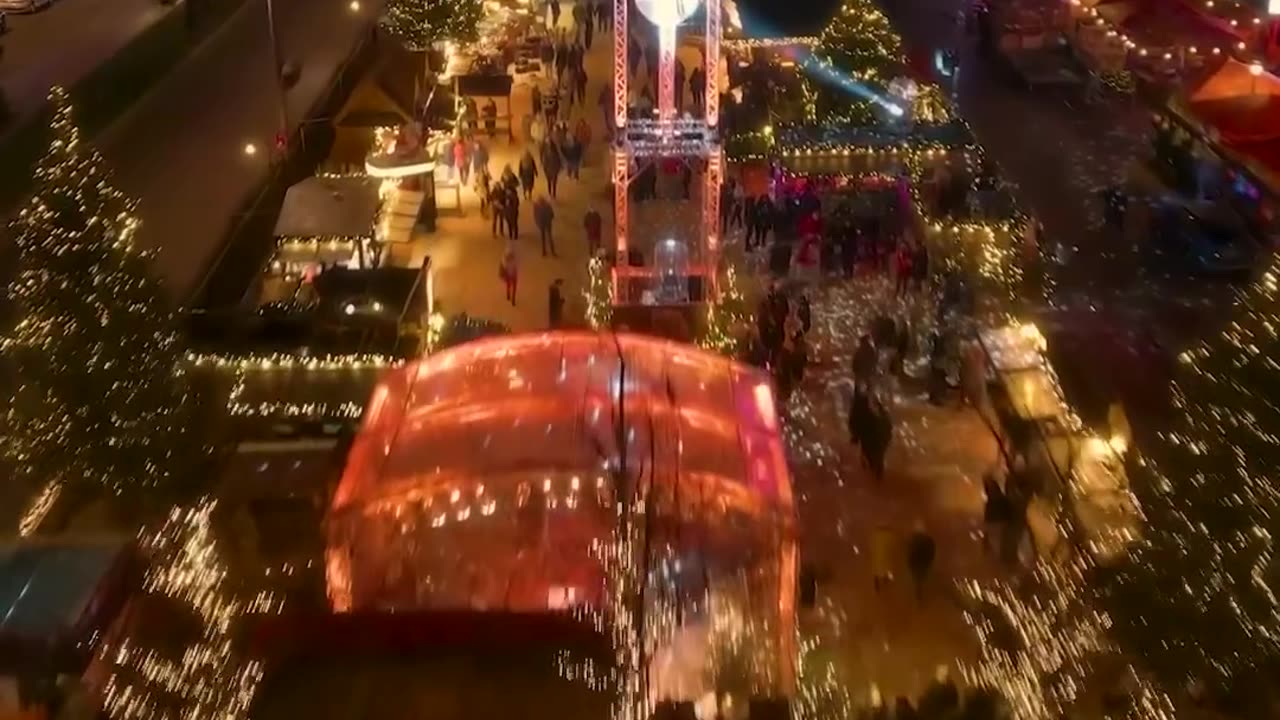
(56, 595)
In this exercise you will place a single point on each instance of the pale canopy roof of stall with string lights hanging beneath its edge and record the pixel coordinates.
(330, 207)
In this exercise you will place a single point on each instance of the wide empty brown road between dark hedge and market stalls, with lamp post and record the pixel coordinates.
(180, 151)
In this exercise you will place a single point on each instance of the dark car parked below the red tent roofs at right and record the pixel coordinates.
(1204, 244)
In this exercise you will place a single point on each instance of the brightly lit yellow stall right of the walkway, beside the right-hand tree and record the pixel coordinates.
(1077, 471)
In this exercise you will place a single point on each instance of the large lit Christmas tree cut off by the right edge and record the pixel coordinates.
(1199, 599)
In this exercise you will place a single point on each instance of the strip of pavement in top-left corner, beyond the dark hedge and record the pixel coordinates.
(65, 43)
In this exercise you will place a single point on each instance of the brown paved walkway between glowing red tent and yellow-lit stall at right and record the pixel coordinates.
(934, 480)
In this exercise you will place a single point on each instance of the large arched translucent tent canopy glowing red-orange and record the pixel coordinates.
(484, 475)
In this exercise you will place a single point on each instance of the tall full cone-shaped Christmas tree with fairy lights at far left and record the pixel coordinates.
(98, 400)
